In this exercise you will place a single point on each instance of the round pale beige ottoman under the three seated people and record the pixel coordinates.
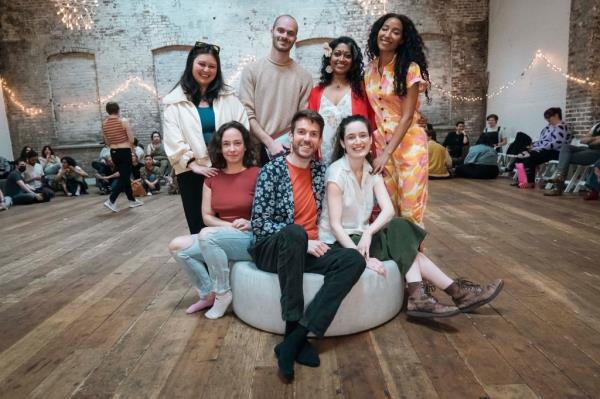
(373, 300)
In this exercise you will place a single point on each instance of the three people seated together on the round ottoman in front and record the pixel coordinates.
(296, 215)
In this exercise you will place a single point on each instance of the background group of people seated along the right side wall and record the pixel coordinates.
(456, 157)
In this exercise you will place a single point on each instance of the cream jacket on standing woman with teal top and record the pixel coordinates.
(182, 129)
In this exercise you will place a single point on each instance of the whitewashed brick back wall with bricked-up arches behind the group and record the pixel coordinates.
(148, 39)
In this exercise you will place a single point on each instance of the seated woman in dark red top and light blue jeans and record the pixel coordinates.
(226, 207)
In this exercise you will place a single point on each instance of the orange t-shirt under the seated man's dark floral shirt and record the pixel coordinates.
(305, 206)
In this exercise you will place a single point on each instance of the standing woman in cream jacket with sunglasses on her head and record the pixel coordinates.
(194, 110)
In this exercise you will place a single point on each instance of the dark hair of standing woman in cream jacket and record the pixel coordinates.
(189, 85)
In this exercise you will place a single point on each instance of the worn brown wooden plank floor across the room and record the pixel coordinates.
(92, 305)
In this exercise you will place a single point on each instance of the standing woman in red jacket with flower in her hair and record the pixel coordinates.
(340, 92)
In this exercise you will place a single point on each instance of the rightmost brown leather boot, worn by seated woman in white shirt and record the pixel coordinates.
(469, 296)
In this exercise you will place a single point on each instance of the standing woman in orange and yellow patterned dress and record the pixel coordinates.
(394, 78)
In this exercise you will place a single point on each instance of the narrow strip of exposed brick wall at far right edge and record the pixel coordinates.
(583, 102)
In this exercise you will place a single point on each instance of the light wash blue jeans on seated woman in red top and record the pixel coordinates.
(215, 250)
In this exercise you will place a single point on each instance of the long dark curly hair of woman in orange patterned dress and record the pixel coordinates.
(411, 49)
